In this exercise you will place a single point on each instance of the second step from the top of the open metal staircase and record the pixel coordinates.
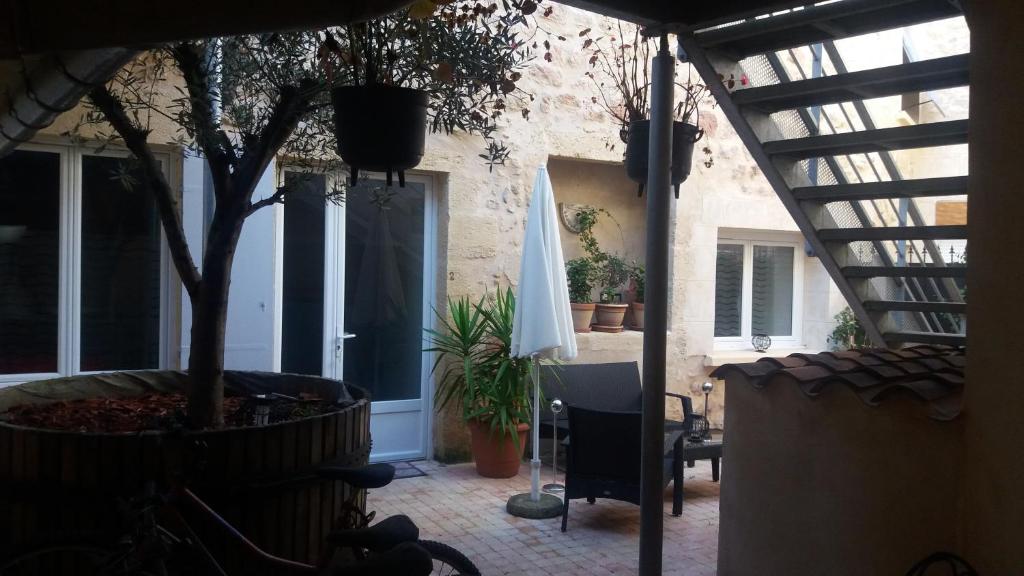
(921, 76)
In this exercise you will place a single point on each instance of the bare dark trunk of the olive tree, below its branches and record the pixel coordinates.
(206, 359)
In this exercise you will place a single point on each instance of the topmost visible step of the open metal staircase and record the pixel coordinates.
(817, 24)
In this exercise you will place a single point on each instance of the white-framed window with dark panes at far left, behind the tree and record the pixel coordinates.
(82, 282)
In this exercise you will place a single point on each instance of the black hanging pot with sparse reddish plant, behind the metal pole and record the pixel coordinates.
(621, 73)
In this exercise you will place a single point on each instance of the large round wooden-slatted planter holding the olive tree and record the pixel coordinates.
(260, 478)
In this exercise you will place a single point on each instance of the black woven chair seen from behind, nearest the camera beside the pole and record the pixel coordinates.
(605, 459)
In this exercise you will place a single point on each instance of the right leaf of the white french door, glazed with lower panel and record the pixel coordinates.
(389, 291)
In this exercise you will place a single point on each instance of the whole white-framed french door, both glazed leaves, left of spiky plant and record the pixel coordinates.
(359, 280)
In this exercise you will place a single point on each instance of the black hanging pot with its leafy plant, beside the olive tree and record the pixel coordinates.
(453, 64)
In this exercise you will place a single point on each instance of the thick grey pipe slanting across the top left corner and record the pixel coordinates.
(53, 88)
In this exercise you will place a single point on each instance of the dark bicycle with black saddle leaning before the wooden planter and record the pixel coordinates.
(153, 548)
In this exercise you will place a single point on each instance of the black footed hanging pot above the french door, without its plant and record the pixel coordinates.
(380, 129)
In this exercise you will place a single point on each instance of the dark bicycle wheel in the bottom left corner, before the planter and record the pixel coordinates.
(78, 559)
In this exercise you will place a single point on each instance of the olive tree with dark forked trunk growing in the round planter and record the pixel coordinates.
(242, 102)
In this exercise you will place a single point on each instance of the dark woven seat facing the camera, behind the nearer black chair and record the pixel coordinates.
(613, 387)
